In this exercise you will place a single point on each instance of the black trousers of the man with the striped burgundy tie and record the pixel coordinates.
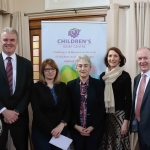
(19, 133)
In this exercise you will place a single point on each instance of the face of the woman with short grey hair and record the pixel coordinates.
(83, 67)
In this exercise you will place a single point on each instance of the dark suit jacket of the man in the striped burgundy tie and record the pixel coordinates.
(24, 80)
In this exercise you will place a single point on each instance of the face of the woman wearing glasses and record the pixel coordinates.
(49, 72)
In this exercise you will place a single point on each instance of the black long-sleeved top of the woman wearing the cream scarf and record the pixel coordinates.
(122, 93)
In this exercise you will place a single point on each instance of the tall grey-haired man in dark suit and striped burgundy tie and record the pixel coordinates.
(14, 91)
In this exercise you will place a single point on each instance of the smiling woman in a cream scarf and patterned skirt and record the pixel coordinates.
(117, 96)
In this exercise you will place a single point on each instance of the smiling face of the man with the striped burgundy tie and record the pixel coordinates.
(9, 43)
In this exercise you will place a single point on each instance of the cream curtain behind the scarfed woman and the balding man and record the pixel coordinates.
(129, 29)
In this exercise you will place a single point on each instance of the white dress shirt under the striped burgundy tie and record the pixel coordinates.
(14, 62)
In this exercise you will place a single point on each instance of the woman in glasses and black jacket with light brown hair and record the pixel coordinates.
(51, 112)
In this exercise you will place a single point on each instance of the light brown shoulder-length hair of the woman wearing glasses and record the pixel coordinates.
(53, 64)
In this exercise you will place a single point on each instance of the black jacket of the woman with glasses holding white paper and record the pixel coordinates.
(47, 115)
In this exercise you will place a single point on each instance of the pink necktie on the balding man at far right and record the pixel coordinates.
(140, 96)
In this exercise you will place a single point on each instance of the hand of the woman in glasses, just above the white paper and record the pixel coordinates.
(57, 131)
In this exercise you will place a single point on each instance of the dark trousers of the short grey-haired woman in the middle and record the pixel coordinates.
(91, 142)
